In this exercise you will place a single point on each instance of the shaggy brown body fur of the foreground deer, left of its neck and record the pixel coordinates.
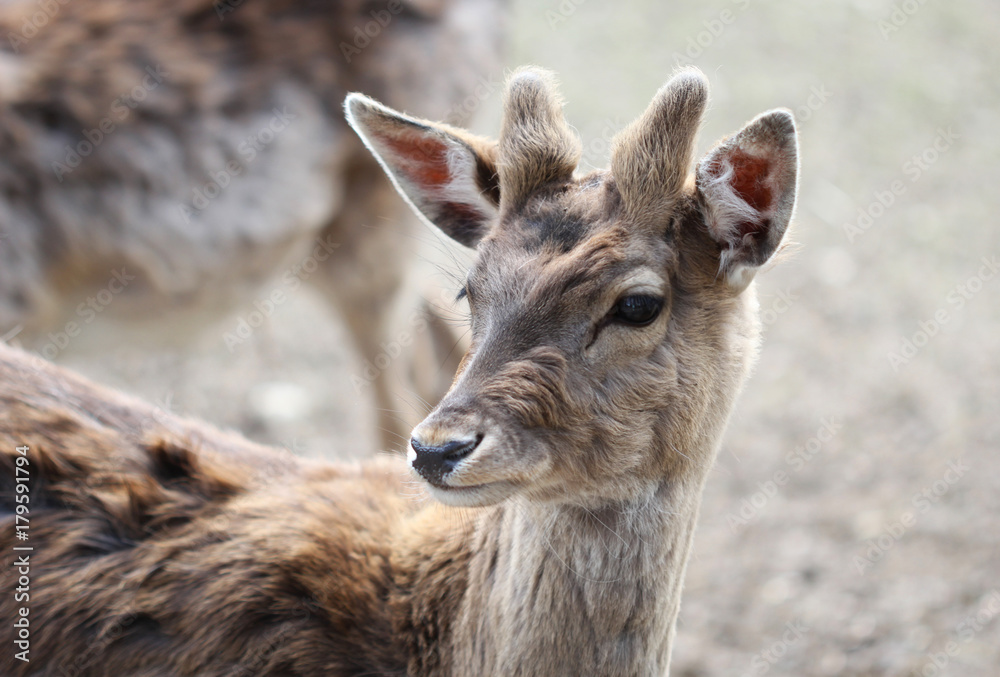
(164, 547)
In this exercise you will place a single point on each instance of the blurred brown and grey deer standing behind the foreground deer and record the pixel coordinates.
(181, 153)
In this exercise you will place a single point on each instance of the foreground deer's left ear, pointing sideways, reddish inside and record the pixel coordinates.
(447, 175)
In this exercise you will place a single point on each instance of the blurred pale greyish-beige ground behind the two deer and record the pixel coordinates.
(850, 526)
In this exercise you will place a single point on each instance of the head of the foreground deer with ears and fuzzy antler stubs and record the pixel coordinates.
(611, 326)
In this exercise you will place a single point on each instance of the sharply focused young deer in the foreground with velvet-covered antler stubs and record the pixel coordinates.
(613, 322)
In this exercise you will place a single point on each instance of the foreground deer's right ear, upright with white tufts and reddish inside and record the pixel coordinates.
(748, 186)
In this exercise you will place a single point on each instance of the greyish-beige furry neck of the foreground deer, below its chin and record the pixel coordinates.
(565, 590)
